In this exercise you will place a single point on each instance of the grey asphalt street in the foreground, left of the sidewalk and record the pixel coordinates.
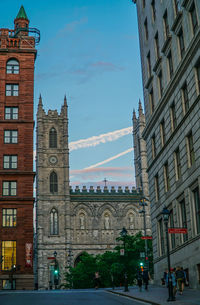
(71, 297)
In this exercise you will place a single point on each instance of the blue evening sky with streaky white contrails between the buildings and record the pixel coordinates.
(89, 50)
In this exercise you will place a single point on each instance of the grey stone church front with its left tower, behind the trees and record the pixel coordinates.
(71, 221)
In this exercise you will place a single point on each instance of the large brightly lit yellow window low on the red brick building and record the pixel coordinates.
(9, 254)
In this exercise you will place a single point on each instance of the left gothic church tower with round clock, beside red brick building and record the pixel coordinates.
(53, 220)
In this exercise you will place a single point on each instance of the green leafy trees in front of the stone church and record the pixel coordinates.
(110, 265)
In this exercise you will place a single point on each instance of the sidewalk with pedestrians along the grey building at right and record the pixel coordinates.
(158, 295)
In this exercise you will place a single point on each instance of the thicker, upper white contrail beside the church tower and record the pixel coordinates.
(102, 138)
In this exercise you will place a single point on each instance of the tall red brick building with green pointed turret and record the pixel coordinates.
(17, 58)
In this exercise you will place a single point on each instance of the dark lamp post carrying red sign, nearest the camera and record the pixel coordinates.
(166, 214)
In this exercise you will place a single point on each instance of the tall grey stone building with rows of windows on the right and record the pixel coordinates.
(169, 33)
